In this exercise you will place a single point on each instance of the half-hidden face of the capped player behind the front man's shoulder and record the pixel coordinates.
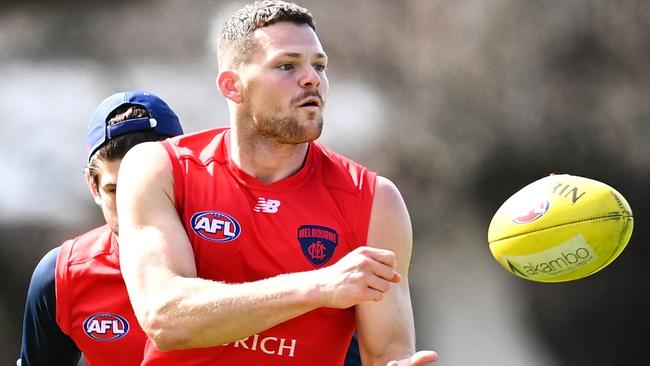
(104, 191)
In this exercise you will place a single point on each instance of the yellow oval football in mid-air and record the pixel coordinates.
(560, 228)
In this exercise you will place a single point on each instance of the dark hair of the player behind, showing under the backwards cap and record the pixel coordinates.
(116, 148)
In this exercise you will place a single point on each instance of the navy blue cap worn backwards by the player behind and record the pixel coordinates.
(161, 120)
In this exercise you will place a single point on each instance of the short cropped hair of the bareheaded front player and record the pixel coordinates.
(235, 40)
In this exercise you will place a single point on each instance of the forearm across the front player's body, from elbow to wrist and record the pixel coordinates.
(194, 312)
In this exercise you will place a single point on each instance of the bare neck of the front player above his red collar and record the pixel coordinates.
(265, 159)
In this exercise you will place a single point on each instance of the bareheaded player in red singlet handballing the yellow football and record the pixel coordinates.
(254, 244)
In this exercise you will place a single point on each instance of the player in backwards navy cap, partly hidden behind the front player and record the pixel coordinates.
(77, 302)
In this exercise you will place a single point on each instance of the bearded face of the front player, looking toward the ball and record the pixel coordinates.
(284, 83)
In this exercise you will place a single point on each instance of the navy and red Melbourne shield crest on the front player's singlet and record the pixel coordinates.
(318, 243)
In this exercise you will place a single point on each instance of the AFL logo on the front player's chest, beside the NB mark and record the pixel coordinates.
(215, 226)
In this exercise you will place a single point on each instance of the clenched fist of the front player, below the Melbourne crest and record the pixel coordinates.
(365, 274)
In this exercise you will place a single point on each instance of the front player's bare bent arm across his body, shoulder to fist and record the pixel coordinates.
(178, 310)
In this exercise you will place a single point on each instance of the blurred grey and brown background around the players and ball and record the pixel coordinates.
(460, 103)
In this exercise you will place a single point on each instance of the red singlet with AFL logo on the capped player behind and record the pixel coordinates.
(92, 304)
